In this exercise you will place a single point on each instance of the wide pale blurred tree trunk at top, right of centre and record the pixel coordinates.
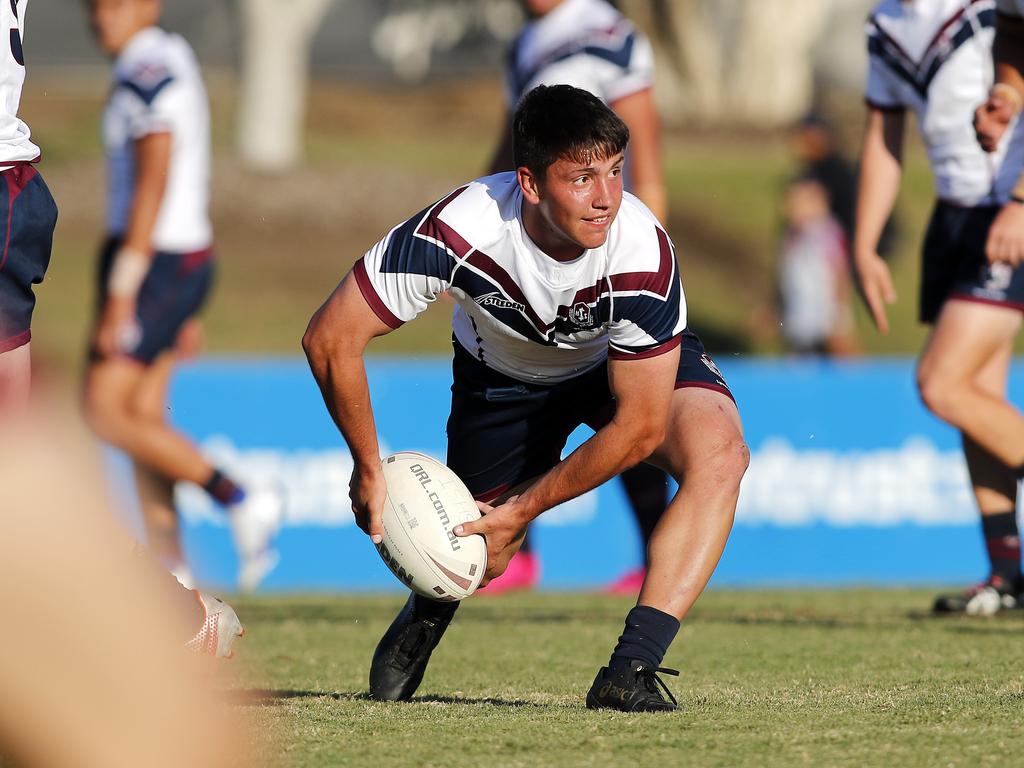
(733, 62)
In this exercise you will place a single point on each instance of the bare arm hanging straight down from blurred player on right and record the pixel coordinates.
(881, 173)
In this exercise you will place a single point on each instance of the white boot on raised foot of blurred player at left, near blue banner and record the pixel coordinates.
(255, 522)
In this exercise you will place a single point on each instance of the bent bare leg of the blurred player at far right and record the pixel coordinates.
(967, 336)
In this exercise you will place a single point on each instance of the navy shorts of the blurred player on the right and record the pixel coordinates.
(955, 266)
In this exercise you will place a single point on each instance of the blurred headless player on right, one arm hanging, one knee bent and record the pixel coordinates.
(934, 57)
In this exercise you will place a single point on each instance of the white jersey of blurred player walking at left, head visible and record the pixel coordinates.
(158, 89)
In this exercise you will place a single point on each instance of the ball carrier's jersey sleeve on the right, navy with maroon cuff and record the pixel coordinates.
(649, 309)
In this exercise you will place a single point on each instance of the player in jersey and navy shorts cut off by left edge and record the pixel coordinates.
(31, 216)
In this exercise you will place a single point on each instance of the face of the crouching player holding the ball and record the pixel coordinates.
(574, 205)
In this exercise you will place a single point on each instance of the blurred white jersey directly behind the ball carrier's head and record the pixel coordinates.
(584, 44)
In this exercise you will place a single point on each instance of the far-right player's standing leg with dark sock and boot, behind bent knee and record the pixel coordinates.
(996, 492)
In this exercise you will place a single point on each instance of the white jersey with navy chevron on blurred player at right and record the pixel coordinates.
(935, 58)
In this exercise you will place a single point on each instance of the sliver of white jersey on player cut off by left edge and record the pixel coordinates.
(16, 146)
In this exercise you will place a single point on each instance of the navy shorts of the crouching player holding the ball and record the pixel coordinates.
(502, 432)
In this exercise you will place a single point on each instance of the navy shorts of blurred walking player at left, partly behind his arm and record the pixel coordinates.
(174, 291)
